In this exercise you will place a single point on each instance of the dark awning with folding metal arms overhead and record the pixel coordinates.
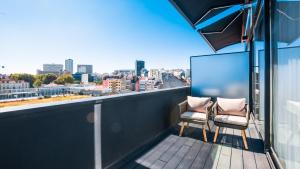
(224, 32)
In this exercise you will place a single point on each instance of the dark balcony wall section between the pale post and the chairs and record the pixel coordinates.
(130, 122)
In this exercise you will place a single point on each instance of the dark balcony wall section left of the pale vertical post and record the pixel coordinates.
(48, 137)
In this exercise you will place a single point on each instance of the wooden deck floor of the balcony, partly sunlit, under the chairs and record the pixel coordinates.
(190, 151)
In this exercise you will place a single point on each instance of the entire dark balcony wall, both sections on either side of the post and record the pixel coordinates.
(62, 135)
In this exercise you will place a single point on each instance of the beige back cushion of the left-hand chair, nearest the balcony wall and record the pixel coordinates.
(197, 104)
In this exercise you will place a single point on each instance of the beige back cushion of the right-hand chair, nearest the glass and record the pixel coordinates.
(235, 107)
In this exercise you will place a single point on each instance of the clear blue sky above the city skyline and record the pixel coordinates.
(110, 34)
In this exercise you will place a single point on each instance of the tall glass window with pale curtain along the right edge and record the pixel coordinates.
(286, 84)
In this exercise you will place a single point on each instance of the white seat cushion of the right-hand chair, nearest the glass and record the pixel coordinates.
(236, 120)
